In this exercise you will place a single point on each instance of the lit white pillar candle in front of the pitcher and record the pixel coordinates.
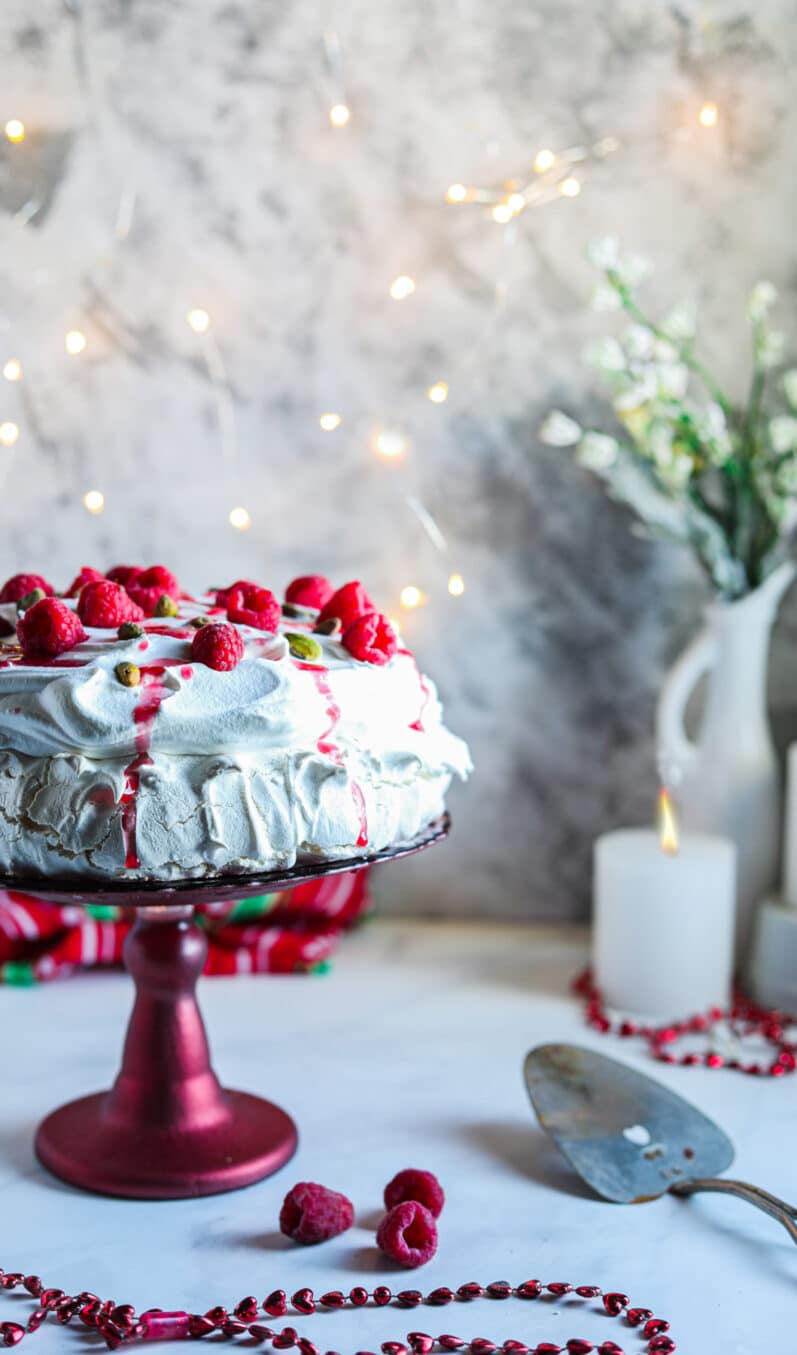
(663, 940)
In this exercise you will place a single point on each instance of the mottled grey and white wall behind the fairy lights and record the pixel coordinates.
(180, 155)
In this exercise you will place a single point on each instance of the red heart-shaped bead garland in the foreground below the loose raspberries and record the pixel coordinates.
(119, 1323)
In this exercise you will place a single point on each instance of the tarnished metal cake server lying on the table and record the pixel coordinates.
(631, 1139)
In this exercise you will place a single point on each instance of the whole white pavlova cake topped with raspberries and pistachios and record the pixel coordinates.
(148, 734)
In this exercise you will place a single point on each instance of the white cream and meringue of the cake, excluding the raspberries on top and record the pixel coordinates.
(197, 772)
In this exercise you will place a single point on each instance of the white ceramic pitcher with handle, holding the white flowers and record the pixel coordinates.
(729, 781)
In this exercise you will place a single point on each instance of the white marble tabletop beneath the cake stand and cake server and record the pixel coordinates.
(409, 1054)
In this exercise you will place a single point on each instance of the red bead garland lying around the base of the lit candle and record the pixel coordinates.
(745, 1018)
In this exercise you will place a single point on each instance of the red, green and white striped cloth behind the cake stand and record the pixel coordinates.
(293, 932)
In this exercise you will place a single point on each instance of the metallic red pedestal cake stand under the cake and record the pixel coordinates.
(167, 1129)
